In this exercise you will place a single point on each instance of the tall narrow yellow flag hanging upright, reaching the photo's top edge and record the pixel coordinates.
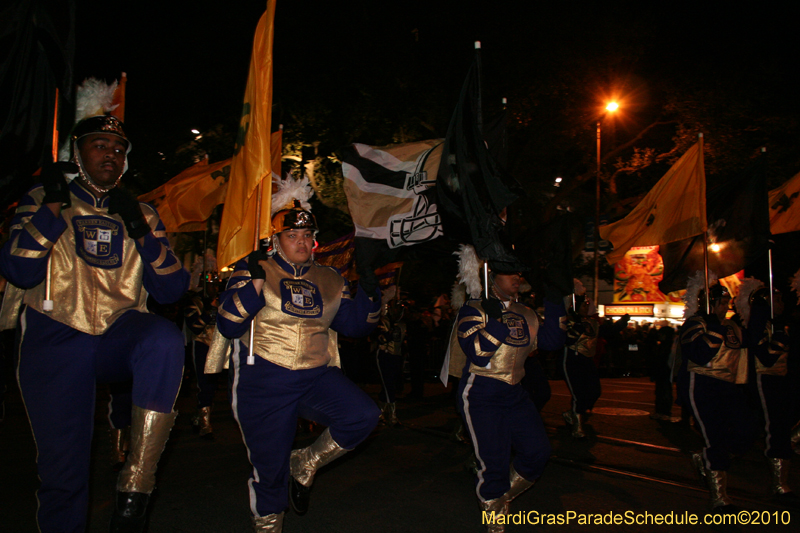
(252, 158)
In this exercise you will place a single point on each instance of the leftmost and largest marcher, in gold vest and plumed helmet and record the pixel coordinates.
(88, 254)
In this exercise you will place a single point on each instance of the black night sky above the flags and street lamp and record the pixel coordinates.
(187, 61)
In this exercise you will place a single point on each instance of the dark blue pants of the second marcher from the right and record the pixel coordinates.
(725, 419)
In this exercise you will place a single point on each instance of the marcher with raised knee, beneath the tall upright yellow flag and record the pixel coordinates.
(296, 307)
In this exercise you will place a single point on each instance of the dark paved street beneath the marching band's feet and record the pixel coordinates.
(412, 478)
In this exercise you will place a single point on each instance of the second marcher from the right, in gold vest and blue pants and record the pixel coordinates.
(716, 350)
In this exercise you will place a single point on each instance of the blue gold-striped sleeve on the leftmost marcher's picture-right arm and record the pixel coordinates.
(164, 276)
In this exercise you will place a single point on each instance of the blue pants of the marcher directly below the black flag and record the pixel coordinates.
(501, 417)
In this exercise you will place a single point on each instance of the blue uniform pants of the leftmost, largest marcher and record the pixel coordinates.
(59, 368)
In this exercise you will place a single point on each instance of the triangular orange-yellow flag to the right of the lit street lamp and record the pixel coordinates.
(674, 209)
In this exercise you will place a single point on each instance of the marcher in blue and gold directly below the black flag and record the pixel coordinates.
(496, 335)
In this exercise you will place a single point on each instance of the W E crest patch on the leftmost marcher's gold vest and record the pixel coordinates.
(99, 241)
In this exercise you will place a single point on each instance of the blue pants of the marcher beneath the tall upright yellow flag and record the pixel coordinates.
(268, 398)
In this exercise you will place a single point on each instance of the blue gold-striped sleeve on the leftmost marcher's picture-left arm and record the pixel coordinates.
(34, 231)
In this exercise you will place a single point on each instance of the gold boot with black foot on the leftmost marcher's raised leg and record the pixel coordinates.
(137, 479)
